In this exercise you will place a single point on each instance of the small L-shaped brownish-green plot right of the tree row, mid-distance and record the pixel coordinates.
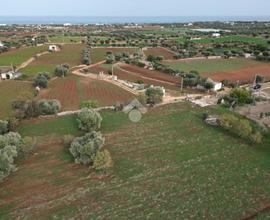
(99, 54)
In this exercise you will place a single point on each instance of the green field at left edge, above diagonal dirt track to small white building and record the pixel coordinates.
(18, 56)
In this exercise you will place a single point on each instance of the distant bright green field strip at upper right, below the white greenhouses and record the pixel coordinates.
(233, 38)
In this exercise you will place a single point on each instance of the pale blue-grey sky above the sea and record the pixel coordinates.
(135, 8)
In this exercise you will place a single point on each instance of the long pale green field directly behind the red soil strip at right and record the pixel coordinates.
(211, 65)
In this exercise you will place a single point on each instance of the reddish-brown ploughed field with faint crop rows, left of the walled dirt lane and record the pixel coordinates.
(72, 90)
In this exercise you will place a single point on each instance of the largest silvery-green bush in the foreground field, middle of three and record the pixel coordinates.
(84, 149)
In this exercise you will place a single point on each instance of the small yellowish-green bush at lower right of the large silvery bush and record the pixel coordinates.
(102, 161)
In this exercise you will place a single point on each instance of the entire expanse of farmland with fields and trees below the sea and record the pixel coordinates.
(150, 121)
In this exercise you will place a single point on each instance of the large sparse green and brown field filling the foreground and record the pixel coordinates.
(188, 171)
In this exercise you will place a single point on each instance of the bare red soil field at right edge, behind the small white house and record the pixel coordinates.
(245, 75)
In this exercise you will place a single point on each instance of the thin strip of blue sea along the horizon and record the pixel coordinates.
(122, 19)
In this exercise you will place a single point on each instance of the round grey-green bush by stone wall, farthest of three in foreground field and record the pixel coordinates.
(89, 120)
